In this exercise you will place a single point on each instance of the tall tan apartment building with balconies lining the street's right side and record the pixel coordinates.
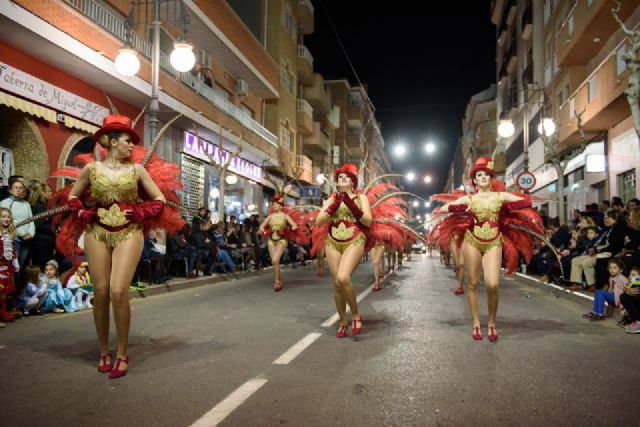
(560, 58)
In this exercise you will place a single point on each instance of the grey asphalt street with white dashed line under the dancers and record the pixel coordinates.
(205, 355)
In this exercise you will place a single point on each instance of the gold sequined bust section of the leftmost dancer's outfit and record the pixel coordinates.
(107, 191)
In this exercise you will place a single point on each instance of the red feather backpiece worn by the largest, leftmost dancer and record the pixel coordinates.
(164, 174)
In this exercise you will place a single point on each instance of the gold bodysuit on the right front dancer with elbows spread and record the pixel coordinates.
(485, 233)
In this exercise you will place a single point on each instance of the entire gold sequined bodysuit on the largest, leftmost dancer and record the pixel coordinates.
(113, 199)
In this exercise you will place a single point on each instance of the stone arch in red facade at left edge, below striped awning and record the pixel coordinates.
(20, 137)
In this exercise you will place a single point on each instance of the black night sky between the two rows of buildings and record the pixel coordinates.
(421, 69)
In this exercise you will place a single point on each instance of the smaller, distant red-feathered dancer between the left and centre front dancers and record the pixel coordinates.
(278, 227)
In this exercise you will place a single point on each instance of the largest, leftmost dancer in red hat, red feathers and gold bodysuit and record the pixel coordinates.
(113, 201)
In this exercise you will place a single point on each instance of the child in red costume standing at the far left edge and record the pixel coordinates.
(8, 264)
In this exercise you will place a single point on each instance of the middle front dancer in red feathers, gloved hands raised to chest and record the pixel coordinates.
(348, 225)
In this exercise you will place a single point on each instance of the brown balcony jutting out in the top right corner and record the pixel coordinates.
(575, 42)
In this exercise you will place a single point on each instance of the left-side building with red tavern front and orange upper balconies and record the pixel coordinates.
(57, 60)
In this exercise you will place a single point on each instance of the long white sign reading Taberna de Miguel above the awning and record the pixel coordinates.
(28, 86)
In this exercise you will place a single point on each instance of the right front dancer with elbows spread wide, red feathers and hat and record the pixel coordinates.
(490, 225)
